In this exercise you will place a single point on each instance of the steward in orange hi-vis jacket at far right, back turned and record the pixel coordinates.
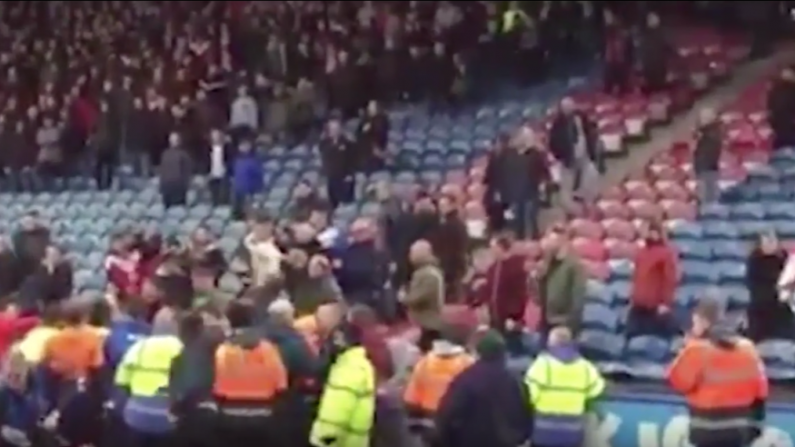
(723, 381)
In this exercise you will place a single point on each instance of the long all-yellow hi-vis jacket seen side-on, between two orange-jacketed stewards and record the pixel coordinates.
(347, 406)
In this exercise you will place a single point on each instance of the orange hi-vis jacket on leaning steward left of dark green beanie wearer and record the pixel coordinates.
(430, 379)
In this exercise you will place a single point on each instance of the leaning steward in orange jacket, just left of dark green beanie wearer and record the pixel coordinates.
(432, 376)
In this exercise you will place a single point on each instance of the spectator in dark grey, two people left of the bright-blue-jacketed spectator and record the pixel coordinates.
(176, 171)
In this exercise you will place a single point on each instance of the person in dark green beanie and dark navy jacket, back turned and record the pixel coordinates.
(485, 404)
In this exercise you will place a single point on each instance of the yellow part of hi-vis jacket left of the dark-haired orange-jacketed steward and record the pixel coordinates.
(145, 367)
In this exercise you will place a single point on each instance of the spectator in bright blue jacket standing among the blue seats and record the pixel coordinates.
(247, 178)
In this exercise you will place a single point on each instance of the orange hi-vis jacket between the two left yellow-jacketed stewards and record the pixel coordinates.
(242, 374)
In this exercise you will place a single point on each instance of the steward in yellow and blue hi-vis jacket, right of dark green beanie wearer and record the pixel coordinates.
(563, 387)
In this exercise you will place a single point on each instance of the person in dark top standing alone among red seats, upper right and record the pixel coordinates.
(706, 157)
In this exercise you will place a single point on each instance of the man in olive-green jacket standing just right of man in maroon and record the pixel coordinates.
(562, 293)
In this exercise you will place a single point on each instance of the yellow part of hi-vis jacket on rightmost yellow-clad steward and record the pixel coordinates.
(559, 388)
